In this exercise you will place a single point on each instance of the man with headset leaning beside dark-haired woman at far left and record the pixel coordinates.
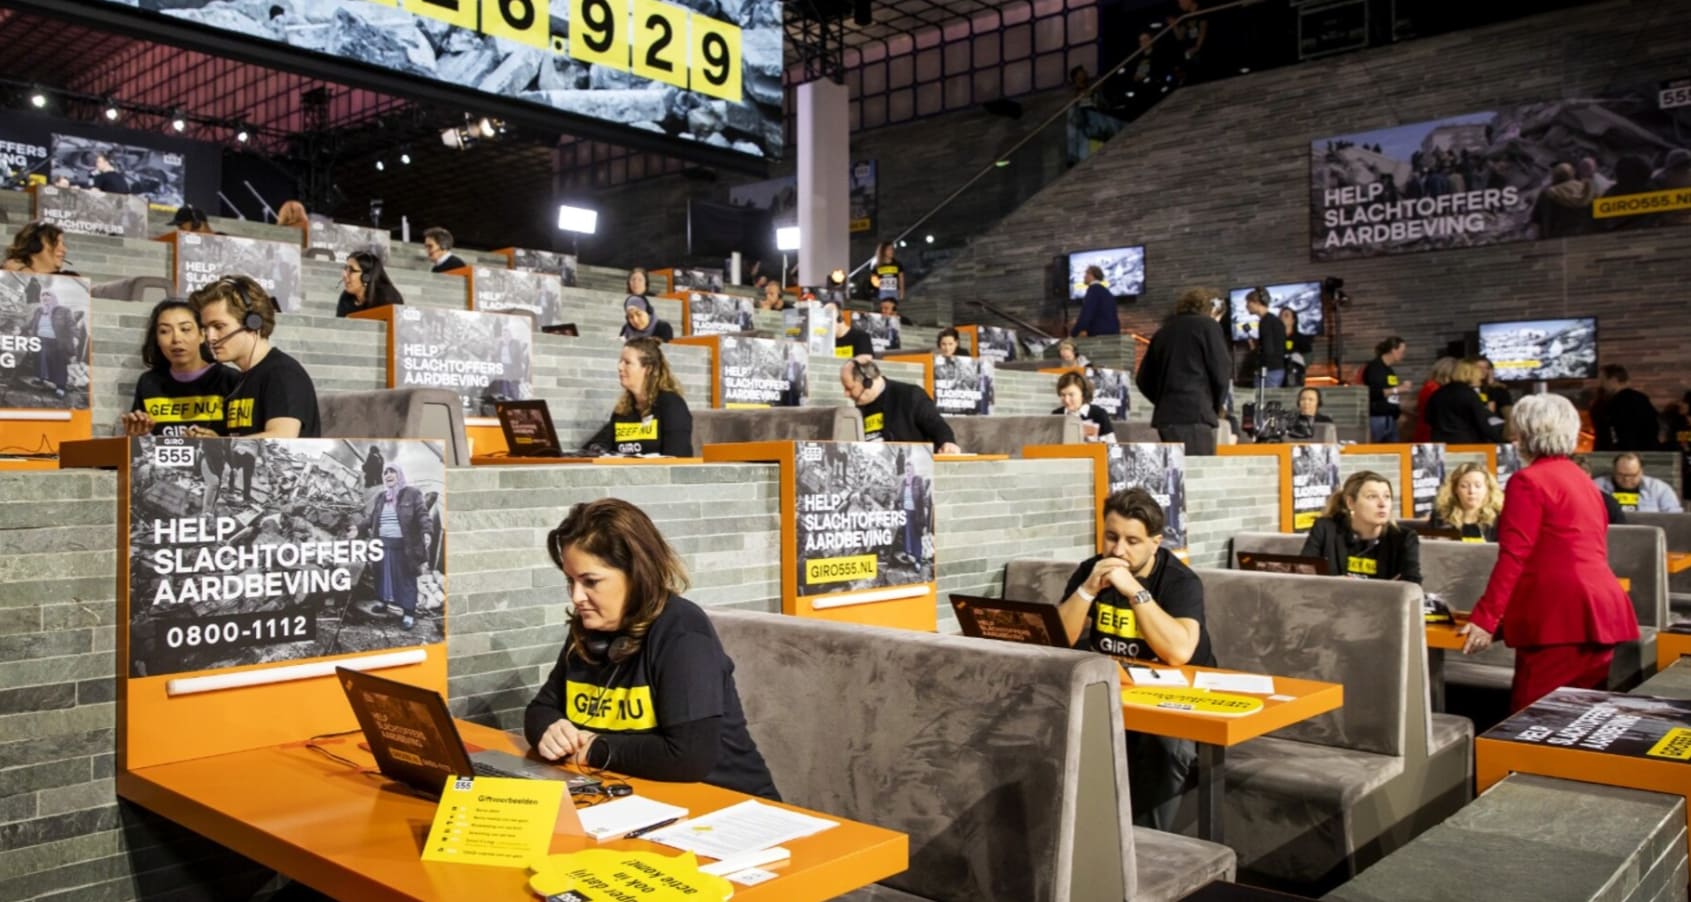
(273, 397)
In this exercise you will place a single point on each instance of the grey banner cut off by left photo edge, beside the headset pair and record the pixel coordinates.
(45, 353)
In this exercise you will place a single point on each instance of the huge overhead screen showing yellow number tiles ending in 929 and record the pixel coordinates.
(692, 70)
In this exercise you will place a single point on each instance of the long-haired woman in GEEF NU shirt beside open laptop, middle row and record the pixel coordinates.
(652, 415)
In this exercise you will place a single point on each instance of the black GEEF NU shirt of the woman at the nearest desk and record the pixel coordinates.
(679, 678)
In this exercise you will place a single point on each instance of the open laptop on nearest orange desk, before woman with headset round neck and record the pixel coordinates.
(417, 742)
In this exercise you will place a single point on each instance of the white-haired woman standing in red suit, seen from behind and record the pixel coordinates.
(1553, 595)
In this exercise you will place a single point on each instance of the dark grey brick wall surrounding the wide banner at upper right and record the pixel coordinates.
(1217, 185)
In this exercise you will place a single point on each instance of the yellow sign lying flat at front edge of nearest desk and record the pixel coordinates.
(613, 874)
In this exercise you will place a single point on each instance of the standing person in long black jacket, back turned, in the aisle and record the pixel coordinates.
(1186, 375)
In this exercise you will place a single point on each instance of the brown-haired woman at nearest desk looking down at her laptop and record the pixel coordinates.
(643, 685)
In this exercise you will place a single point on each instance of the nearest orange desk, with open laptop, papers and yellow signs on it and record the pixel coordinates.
(351, 837)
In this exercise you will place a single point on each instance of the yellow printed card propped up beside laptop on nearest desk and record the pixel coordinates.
(495, 822)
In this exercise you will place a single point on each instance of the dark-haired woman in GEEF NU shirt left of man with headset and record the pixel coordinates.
(183, 385)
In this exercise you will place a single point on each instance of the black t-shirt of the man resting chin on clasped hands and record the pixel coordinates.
(1112, 627)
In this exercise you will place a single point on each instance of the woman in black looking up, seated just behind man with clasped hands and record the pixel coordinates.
(1359, 534)
